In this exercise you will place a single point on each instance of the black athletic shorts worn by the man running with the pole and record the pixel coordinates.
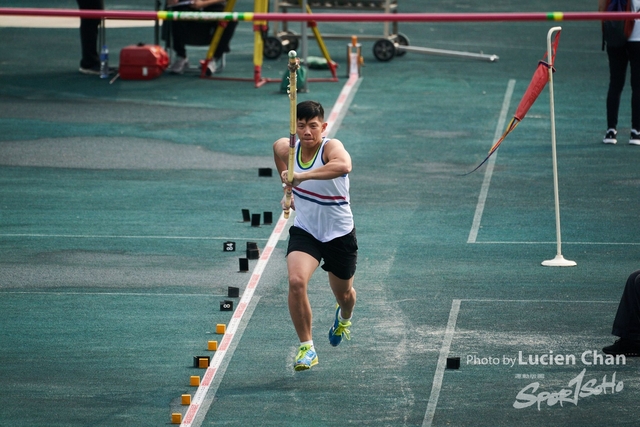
(340, 255)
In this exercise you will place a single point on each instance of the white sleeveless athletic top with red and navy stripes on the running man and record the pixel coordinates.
(322, 206)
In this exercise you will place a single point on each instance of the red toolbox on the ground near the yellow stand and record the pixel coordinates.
(142, 62)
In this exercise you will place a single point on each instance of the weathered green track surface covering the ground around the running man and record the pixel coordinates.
(116, 200)
